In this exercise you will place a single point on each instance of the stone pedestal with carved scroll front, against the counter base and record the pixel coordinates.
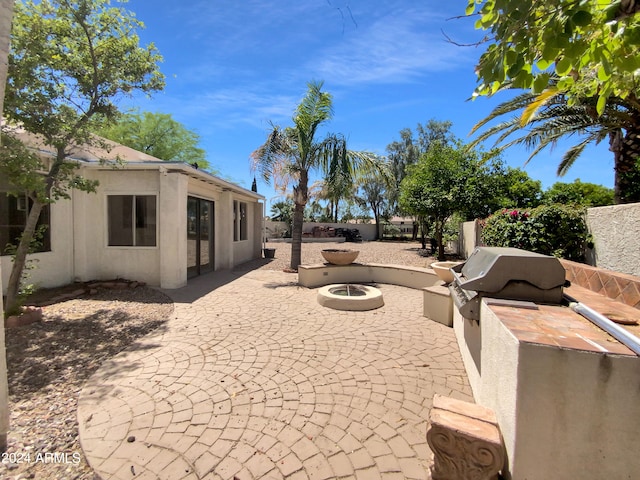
(465, 440)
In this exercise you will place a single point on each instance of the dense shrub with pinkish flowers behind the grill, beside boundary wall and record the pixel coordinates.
(557, 230)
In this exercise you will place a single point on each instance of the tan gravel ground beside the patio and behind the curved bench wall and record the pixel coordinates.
(48, 362)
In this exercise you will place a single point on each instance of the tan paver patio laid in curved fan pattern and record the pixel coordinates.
(253, 379)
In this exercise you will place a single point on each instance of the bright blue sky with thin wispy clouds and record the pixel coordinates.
(234, 67)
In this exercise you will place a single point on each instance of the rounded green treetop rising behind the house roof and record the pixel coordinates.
(159, 135)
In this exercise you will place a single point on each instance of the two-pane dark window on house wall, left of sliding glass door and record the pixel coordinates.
(132, 220)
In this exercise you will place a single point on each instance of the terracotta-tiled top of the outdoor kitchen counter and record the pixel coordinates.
(556, 325)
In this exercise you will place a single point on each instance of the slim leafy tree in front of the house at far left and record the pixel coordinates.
(69, 61)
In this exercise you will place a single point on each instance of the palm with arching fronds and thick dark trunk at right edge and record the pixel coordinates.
(548, 117)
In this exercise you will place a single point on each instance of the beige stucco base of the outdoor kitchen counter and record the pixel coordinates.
(562, 413)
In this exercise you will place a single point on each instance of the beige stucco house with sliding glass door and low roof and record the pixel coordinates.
(150, 220)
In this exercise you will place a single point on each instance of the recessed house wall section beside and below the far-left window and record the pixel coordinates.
(55, 267)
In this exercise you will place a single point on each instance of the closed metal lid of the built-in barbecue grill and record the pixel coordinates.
(490, 269)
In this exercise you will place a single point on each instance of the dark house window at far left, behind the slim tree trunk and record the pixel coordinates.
(13, 218)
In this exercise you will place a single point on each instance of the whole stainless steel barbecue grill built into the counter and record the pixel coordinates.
(505, 273)
